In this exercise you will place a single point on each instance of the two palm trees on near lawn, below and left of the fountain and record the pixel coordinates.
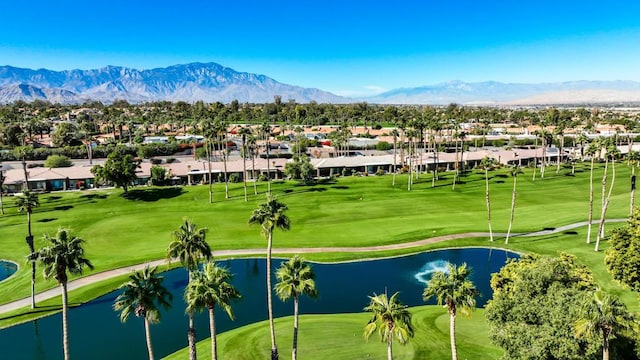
(451, 288)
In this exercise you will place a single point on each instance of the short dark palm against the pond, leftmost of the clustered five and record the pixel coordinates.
(142, 296)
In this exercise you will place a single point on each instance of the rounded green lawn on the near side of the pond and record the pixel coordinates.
(339, 336)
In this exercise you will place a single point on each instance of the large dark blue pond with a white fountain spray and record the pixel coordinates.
(95, 330)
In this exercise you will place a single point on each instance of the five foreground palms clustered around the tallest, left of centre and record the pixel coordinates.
(209, 286)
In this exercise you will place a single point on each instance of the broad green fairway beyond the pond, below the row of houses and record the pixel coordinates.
(353, 211)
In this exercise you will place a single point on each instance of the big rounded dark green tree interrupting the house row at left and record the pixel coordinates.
(118, 169)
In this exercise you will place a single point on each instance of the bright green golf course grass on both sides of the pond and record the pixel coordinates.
(353, 211)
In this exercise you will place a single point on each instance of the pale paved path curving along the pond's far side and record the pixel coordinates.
(90, 279)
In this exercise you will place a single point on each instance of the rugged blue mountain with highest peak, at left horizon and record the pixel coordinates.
(208, 82)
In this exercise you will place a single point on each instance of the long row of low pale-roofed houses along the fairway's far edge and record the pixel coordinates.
(192, 172)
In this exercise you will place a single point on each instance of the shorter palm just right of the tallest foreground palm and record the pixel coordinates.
(295, 278)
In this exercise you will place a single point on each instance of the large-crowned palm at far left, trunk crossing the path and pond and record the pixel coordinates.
(64, 253)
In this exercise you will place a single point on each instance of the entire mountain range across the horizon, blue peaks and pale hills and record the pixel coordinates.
(212, 82)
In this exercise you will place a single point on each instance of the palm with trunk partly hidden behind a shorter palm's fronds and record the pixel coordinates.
(189, 245)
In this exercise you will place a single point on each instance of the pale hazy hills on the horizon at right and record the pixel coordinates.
(497, 93)
